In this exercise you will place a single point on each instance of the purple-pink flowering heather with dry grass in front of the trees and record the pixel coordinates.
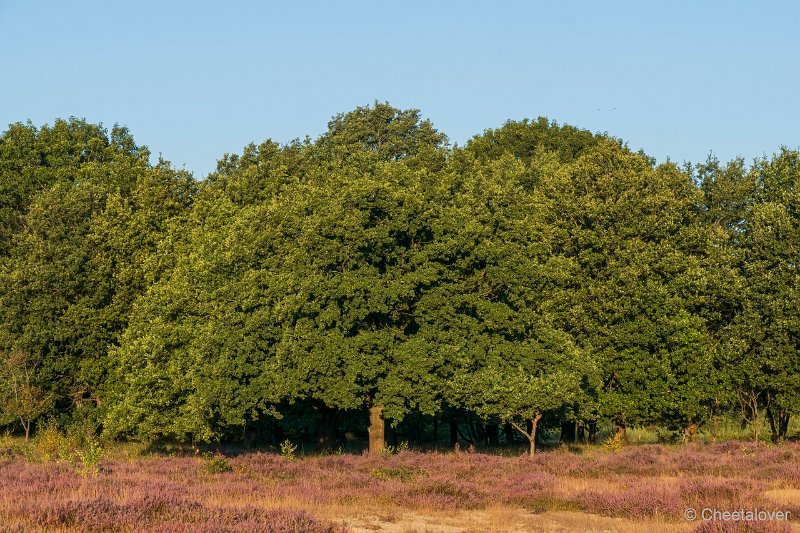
(266, 492)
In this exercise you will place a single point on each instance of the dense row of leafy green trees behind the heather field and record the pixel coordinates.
(540, 272)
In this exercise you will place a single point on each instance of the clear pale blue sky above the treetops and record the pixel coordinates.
(193, 80)
